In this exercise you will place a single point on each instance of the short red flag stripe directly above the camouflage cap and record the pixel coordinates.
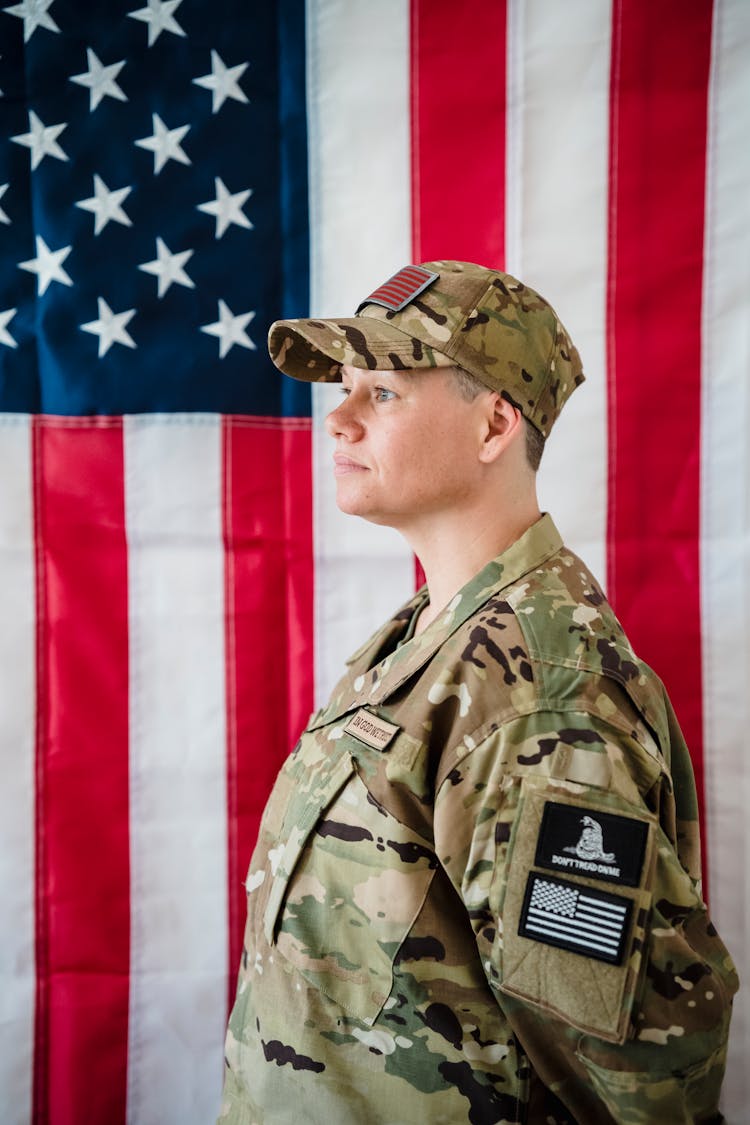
(458, 170)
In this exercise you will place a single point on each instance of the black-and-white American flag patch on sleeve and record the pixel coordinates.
(581, 920)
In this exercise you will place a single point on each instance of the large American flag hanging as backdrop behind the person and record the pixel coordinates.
(177, 588)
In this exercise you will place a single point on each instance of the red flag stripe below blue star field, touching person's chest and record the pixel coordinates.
(268, 521)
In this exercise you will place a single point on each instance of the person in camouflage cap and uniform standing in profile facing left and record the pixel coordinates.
(476, 893)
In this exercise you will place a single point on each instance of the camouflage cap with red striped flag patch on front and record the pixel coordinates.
(445, 314)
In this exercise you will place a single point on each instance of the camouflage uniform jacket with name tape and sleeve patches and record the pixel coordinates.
(475, 895)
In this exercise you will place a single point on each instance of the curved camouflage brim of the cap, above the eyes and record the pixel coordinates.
(315, 350)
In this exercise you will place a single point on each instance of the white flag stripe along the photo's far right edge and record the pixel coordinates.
(726, 517)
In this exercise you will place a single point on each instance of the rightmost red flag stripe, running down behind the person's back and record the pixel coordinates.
(658, 166)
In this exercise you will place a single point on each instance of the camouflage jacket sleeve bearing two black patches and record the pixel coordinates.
(558, 831)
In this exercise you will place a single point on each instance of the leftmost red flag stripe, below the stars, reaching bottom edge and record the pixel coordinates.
(83, 887)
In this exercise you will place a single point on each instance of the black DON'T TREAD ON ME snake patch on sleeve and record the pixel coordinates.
(589, 842)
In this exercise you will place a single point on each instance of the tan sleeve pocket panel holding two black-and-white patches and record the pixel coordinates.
(572, 934)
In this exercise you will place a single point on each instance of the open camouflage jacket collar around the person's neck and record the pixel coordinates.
(369, 685)
